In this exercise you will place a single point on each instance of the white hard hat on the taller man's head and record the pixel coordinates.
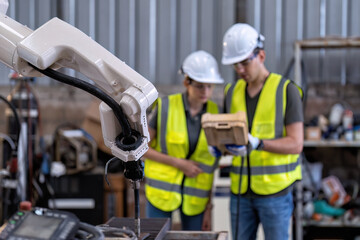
(240, 40)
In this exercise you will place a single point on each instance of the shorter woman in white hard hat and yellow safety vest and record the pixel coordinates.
(178, 167)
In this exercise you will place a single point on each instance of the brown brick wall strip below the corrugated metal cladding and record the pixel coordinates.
(62, 104)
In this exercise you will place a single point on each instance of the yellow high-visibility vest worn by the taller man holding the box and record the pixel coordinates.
(269, 172)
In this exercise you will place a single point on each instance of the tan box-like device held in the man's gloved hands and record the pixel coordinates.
(227, 128)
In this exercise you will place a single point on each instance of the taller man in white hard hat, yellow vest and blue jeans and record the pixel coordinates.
(263, 172)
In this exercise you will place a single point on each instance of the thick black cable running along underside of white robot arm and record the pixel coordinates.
(93, 90)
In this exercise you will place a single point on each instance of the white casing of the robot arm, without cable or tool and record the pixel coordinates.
(58, 44)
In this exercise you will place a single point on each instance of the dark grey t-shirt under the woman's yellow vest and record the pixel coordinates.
(193, 123)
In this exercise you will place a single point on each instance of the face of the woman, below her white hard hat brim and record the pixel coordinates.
(199, 92)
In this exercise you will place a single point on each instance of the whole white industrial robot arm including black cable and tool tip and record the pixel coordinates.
(125, 94)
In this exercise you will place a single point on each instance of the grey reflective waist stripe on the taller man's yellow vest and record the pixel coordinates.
(263, 170)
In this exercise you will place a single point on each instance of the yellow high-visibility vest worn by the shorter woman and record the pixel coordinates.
(164, 183)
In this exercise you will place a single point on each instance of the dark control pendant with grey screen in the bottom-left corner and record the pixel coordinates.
(40, 223)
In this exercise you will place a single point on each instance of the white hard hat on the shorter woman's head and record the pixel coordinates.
(202, 67)
